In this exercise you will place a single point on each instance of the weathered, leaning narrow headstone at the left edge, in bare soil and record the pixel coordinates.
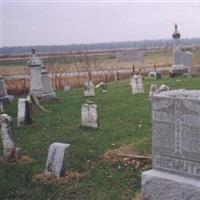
(9, 149)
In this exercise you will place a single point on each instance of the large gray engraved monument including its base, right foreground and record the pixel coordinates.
(175, 147)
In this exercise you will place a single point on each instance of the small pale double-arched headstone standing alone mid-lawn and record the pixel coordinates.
(89, 115)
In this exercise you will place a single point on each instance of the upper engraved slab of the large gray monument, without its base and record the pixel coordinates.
(176, 132)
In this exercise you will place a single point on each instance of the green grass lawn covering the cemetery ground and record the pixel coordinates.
(120, 114)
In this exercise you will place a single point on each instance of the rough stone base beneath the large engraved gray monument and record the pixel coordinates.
(158, 185)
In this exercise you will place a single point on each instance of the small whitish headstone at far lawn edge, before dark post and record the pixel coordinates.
(137, 84)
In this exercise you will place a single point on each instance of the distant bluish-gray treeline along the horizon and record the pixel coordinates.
(72, 48)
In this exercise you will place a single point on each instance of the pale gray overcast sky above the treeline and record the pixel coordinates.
(64, 22)
